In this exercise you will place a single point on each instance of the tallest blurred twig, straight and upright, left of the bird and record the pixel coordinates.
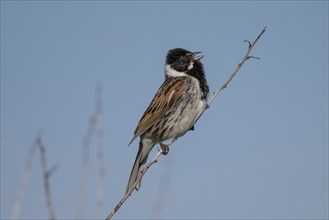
(100, 157)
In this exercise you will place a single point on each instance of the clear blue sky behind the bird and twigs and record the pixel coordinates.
(260, 151)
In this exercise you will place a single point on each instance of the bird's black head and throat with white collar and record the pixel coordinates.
(181, 62)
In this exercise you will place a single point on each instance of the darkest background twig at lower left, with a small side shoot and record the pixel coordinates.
(46, 175)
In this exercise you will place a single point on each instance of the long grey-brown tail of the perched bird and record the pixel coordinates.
(141, 158)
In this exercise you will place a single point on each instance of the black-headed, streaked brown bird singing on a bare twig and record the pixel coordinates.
(175, 108)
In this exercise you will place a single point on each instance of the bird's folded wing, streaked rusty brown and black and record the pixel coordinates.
(169, 93)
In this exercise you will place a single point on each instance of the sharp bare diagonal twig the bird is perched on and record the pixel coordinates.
(215, 94)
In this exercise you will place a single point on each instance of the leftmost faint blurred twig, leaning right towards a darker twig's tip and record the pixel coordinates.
(15, 214)
